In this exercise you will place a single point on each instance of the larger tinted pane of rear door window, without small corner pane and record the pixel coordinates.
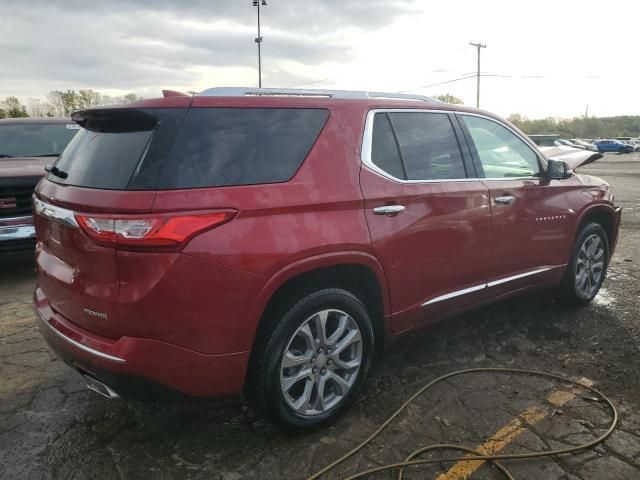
(428, 145)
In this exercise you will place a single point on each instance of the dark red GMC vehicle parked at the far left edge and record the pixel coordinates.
(26, 146)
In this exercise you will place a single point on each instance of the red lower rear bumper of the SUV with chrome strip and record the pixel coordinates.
(139, 367)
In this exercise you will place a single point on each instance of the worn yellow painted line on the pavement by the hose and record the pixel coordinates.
(532, 415)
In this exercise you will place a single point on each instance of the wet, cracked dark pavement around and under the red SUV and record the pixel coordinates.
(51, 427)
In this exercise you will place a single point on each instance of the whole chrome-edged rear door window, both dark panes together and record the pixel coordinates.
(416, 146)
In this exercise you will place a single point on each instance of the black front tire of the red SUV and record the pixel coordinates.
(570, 292)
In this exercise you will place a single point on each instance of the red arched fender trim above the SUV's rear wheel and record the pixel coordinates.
(320, 261)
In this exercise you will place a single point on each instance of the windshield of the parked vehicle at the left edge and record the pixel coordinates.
(35, 139)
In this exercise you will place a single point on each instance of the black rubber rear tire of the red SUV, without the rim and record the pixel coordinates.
(265, 391)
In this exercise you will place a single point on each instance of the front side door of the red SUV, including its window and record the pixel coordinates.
(531, 216)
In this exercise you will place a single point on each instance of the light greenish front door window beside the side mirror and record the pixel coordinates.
(501, 152)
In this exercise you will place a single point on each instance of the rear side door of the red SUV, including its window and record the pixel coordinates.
(429, 218)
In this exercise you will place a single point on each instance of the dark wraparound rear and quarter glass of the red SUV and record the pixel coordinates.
(178, 148)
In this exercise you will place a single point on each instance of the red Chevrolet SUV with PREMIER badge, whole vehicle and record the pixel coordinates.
(269, 242)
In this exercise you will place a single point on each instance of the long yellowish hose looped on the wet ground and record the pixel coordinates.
(411, 459)
